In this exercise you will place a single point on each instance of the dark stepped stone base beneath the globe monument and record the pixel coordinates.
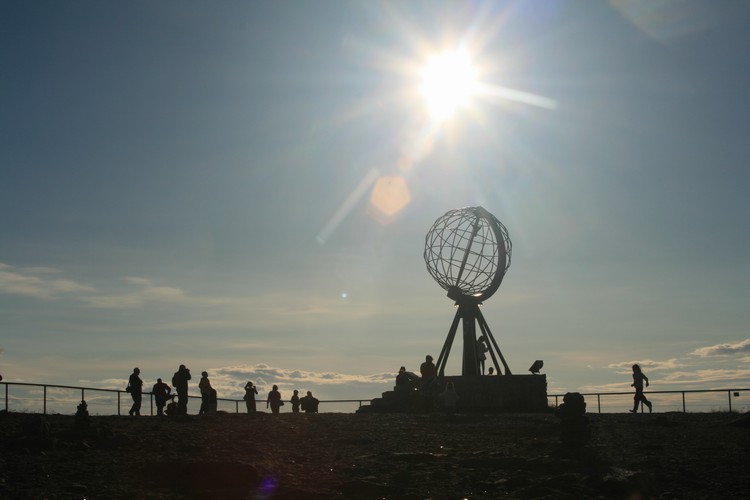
(478, 394)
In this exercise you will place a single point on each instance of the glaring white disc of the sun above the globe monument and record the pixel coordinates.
(449, 82)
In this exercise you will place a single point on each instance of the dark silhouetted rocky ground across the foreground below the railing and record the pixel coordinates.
(361, 456)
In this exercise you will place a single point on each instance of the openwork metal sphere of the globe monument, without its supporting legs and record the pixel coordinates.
(468, 251)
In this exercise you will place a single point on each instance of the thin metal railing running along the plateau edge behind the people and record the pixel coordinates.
(45, 397)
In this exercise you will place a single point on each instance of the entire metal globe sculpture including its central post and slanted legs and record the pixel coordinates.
(468, 251)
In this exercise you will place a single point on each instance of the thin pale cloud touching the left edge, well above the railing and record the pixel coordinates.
(25, 282)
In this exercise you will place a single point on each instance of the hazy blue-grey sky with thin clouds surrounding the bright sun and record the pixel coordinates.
(245, 188)
